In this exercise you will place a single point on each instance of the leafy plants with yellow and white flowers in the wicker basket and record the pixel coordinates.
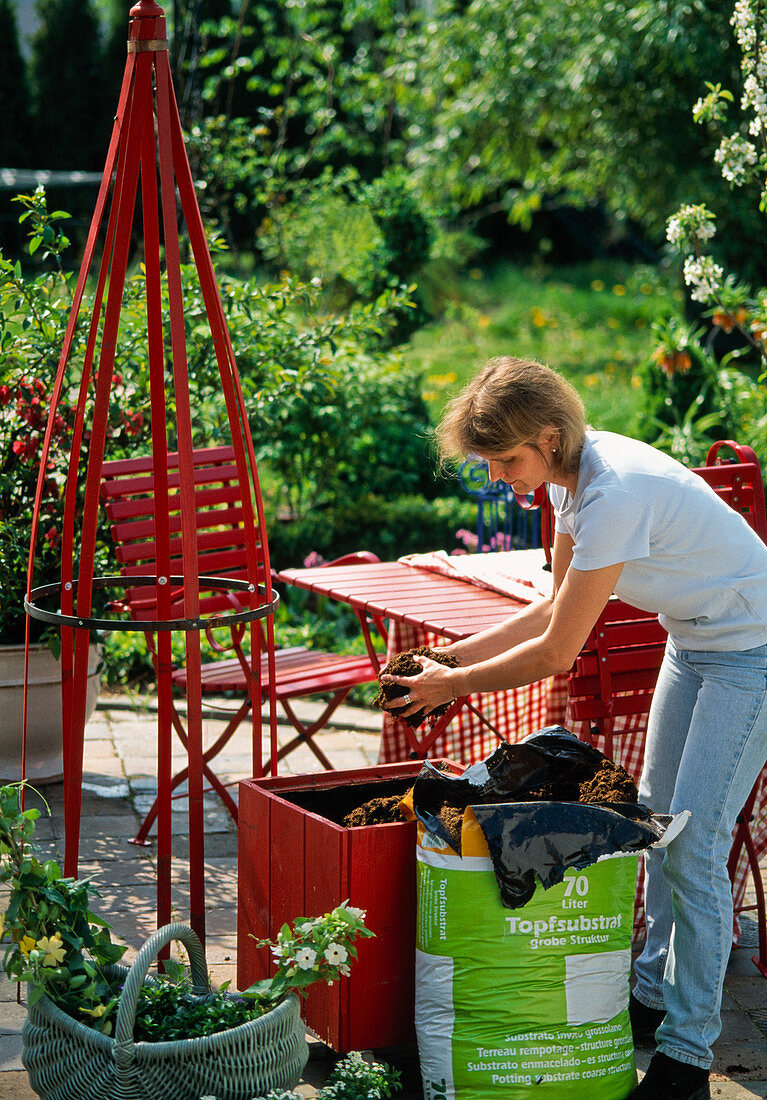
(64, 951)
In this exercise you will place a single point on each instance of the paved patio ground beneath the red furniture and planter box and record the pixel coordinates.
(118, 789)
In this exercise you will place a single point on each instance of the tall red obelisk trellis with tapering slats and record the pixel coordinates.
(147, 158)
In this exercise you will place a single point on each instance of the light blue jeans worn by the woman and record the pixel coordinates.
(707, 743)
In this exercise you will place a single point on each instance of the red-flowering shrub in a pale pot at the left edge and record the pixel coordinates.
(34, 318)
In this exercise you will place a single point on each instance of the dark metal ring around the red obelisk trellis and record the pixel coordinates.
(204, 623)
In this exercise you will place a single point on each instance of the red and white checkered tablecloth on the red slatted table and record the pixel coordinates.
(523, 711)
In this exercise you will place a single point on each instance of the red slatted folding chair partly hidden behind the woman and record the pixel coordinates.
(616, 674)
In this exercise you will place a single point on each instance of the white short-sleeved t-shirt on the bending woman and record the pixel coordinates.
(688, 555)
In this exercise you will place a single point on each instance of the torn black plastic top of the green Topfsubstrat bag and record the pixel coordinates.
(530, 841)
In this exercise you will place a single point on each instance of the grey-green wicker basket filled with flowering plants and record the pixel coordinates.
(97, 1030)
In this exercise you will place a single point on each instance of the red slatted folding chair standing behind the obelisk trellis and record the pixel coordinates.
(128, 498)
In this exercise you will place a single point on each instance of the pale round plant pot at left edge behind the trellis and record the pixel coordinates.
(45, 718)
